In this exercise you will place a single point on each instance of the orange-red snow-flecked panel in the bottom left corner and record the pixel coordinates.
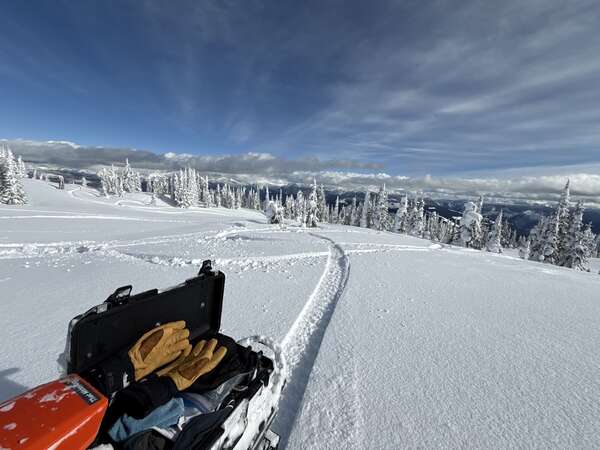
(62, 415)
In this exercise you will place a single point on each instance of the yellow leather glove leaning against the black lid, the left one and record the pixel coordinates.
(158, 347)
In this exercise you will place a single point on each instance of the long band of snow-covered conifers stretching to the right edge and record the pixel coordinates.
(561, 239)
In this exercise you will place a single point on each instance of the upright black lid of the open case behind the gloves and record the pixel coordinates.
(118, 323)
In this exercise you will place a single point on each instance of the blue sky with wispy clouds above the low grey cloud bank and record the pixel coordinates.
(440, 87)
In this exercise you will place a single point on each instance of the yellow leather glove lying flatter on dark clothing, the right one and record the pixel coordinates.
(199, 362)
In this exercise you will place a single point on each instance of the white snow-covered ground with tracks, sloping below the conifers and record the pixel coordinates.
(392, 341)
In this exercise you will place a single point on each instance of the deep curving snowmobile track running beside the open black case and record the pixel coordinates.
(302, 342)
